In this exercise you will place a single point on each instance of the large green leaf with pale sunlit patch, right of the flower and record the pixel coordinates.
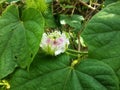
(102, 35)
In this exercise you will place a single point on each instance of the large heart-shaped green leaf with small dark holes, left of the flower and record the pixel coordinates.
(19, 38)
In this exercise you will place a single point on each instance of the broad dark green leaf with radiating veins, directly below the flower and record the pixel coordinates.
(56, 73)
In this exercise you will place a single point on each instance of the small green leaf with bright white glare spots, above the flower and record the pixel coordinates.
(74, 21)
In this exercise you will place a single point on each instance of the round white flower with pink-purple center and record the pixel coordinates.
(54, 43)
